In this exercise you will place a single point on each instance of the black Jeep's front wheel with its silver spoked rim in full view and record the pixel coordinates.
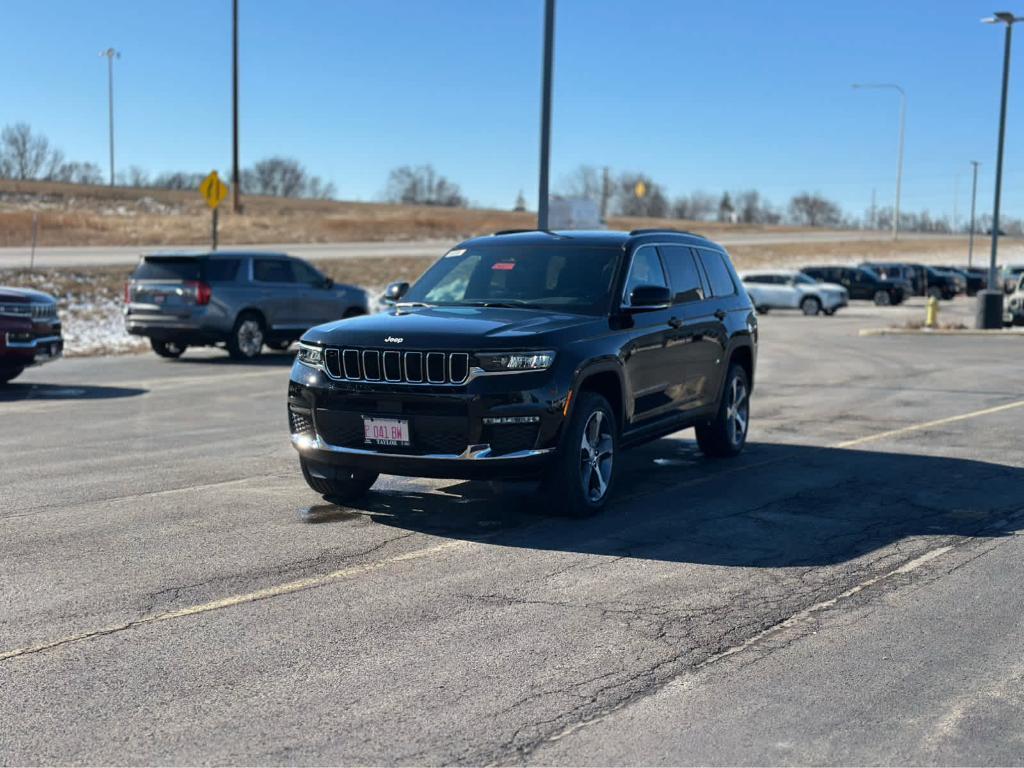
(582, 479)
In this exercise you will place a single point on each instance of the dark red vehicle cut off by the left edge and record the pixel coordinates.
(30, 331)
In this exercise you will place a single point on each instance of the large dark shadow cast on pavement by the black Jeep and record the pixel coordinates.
(778, 505)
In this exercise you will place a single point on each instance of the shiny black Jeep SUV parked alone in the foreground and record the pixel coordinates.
(531, 355)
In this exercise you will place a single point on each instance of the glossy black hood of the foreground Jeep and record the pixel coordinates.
(460, 328)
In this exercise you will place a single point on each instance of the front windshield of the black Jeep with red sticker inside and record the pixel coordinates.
(572, 279)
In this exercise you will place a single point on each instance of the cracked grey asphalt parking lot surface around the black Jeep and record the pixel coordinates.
(848, 590)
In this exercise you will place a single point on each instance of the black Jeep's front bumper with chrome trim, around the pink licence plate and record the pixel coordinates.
(452, 431)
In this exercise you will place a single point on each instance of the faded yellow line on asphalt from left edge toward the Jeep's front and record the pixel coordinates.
(288, 588)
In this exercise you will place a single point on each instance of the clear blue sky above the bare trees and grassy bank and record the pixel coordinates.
(700, 95)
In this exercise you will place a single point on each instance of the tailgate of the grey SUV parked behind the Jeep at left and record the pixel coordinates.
(166, 286)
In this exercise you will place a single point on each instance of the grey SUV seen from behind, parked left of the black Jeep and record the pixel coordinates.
(241, 300)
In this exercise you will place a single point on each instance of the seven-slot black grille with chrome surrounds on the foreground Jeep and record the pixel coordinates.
(392, 366)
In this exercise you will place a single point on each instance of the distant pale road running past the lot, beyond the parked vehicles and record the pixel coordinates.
(100, 255)
